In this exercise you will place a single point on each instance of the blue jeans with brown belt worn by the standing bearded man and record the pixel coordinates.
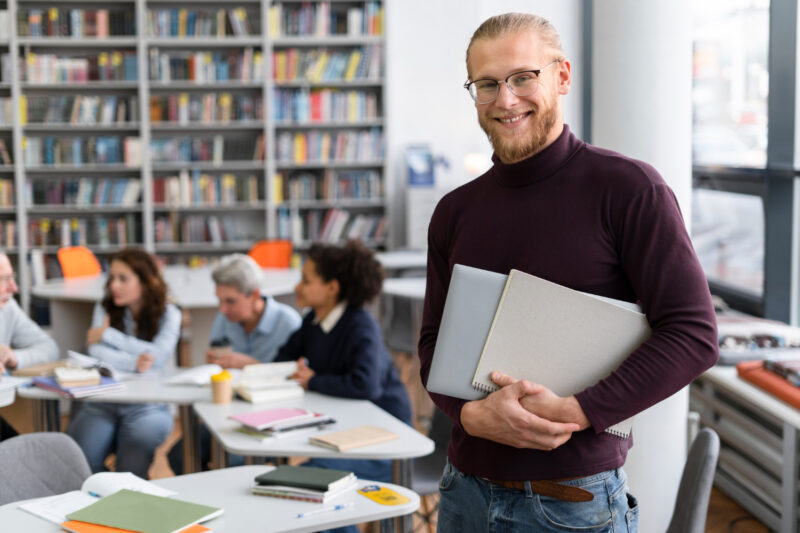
(470, 503)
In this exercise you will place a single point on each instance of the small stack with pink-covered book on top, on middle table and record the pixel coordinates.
(280, 422)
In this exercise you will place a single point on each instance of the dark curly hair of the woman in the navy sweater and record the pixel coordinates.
(353, 265)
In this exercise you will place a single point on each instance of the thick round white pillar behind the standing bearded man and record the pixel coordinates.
(641, 107)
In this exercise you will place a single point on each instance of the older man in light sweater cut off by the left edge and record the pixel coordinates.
(22, 342)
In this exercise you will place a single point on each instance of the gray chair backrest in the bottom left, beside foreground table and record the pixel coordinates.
(40, 464)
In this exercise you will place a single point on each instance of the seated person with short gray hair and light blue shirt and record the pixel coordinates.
(254, 326)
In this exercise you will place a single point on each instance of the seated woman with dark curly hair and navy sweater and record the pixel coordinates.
(339, 347)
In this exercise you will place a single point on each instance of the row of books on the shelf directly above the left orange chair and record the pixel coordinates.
(101, 231)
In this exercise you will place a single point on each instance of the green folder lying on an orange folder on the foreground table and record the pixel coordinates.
(137, 511)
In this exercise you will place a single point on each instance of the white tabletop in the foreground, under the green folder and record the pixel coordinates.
(230, 489)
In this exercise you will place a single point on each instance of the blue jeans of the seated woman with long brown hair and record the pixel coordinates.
(133, 431)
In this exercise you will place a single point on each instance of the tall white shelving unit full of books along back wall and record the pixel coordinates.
(275, 213)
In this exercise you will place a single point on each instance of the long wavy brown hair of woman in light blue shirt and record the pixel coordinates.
(154, 293)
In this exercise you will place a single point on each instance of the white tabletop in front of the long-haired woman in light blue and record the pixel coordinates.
(147, 388)
